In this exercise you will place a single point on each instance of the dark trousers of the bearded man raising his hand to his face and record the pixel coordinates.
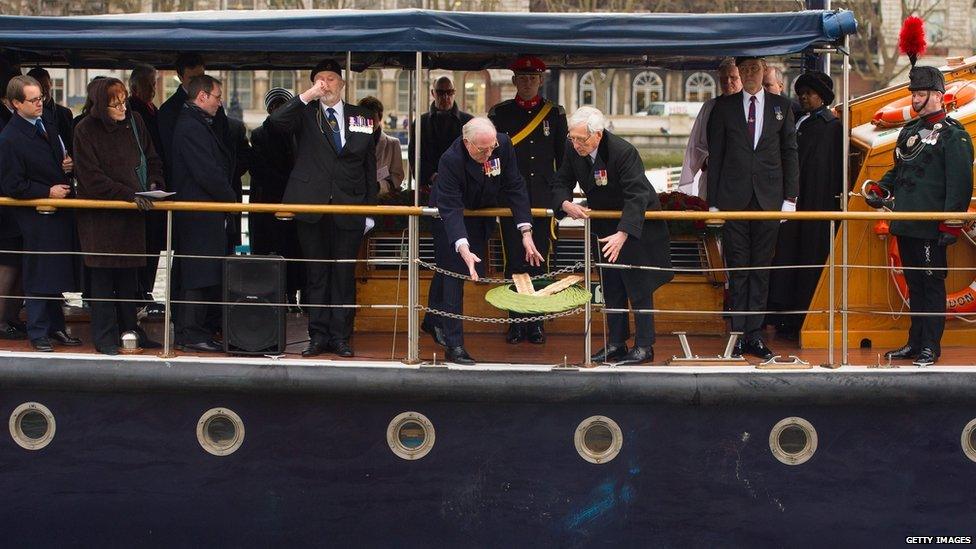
(329, 283)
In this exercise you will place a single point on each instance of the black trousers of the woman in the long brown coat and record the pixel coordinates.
(110, 319)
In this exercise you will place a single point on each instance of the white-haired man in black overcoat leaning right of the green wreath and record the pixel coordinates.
(611, 174)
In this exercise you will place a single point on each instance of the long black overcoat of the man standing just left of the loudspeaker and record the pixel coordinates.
(201, 172)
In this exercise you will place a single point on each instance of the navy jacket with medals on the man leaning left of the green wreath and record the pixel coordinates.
(462, 184)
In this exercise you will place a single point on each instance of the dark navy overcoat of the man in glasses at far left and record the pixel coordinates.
(29, 167)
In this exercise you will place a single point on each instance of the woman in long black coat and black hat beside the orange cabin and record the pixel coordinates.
(819, 138)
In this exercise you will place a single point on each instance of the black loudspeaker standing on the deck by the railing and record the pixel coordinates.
(252, 325)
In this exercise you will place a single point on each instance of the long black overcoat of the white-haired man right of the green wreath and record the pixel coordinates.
(627, 189)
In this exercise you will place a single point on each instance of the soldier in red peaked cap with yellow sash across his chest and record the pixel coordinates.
(538, 130)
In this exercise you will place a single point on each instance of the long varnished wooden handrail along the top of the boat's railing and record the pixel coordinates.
(339, 209)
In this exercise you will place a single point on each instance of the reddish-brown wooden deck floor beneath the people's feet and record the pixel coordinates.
(492, 348)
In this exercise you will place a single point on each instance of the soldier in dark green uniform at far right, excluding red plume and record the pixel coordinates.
(933, 172)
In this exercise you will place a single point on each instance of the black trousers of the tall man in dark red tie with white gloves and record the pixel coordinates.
(749, 244)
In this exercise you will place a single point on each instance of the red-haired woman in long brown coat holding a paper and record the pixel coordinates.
(114, 159)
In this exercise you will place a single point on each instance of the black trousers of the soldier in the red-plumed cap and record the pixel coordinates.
(926, 290)
